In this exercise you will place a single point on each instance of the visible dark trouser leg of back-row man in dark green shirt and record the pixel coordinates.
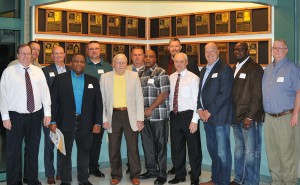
(95, 150)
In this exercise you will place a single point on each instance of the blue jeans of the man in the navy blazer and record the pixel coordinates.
(218, 146)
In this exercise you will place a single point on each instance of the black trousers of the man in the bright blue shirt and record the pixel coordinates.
(83, 143)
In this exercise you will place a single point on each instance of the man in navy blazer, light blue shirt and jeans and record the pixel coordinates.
(215, 109)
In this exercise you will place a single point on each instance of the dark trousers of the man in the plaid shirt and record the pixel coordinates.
(154, 139)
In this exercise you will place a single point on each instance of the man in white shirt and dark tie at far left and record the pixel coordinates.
(24, 91)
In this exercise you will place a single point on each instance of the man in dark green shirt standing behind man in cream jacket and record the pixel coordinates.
(96, 66)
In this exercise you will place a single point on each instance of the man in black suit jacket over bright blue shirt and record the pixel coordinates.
(77, 112)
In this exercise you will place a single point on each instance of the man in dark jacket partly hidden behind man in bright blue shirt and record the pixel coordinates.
(58, 56)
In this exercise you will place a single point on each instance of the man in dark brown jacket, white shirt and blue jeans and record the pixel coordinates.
(249, 114)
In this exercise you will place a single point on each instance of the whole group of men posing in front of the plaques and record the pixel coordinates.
(153, 98)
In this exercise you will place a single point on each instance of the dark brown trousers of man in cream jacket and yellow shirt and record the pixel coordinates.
(120, 124)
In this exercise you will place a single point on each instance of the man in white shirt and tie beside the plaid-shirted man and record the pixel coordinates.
(184, 120)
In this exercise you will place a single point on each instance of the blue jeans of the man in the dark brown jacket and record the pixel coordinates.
(247, 153)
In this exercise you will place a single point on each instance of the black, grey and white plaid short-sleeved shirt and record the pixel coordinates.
(155, 81)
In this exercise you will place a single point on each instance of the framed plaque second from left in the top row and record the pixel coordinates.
(74, 22)
